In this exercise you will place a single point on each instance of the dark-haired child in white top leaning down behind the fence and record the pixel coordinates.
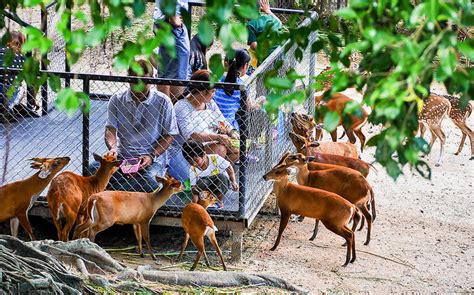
(207, 172)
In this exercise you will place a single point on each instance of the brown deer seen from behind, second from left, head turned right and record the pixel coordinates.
(69, 193)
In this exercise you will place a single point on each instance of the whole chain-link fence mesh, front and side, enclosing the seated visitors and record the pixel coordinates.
(243, 146)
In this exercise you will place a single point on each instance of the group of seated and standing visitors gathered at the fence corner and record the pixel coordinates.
(193, 133)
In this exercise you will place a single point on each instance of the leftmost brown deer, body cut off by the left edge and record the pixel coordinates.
(18, 197)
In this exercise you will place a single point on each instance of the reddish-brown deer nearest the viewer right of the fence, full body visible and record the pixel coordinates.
(333, 211)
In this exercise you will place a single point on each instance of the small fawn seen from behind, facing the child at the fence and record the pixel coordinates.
(197, 223)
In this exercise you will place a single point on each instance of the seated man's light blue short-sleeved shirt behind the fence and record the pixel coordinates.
(140, 126)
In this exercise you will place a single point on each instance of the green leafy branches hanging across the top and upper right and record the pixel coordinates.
(404, 47)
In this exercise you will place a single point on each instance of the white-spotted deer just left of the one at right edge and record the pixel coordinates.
(435, 109)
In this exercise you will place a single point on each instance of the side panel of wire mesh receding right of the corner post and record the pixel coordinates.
(268, 135)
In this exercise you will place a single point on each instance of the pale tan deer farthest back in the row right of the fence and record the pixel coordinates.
(304, 146)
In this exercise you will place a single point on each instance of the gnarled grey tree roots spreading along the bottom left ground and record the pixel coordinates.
(81, 266)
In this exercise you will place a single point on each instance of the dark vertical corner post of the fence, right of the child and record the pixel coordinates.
(242, 120)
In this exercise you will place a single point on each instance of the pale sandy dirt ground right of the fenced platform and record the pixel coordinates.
(422, 239)
